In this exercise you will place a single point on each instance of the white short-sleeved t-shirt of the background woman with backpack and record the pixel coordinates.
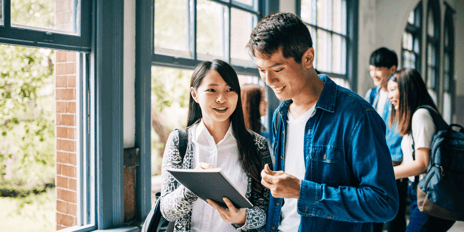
(423, 130)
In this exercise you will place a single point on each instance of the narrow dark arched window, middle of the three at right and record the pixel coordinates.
(432, 76)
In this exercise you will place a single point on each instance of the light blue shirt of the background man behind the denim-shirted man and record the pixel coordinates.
(393, 137)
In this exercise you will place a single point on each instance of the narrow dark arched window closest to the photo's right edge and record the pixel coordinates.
(448, 56)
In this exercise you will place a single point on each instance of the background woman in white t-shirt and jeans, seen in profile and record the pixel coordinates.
(407, 91)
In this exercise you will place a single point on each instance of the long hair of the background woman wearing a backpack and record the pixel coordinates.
(412, 94)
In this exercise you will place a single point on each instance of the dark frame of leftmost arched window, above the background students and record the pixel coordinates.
(416, 31)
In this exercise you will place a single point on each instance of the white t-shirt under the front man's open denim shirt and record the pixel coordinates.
(294, 165)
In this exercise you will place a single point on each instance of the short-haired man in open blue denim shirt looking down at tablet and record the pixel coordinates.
(332, 164)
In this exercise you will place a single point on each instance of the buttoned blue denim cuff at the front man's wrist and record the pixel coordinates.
(310, 195)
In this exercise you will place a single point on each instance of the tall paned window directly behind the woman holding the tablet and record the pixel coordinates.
(187, 32)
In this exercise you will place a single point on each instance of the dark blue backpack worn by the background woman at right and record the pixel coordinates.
(441, 192)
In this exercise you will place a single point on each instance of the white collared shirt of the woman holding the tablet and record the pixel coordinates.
(223, 155)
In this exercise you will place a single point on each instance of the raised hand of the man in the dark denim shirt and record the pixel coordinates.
(281, 184)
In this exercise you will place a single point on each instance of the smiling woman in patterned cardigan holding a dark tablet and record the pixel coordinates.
(217, 137)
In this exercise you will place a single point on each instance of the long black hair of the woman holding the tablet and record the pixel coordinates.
(248, 156)
